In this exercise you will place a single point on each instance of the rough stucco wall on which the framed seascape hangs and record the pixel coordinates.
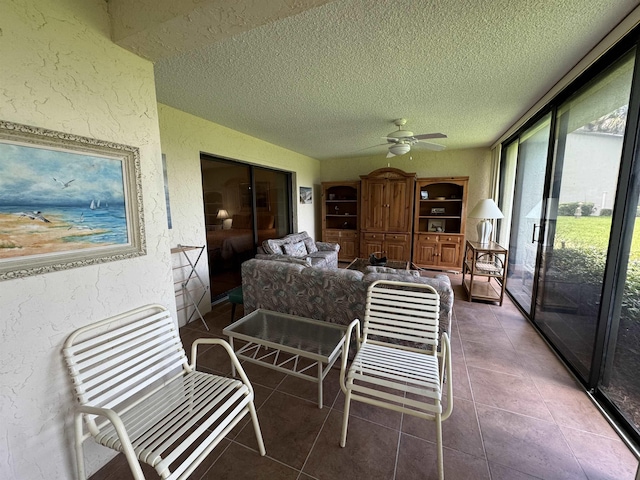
(61, 71)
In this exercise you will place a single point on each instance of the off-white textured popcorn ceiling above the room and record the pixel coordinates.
(326, 79)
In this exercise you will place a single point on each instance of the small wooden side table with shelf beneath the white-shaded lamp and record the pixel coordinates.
(484, 271)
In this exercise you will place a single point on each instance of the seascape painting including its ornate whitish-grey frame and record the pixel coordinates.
(66, 201)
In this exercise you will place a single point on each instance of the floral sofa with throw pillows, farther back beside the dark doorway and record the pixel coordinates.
(302, 247)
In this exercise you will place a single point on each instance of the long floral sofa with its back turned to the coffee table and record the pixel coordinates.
(334, 295)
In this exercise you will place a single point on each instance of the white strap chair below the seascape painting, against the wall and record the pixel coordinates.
(139, 395)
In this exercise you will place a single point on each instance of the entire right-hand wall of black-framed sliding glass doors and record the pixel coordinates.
(570, 187)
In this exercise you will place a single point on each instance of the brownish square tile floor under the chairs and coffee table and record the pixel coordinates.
(517, 414)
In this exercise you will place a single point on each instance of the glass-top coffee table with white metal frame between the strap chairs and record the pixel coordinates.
(287, 343)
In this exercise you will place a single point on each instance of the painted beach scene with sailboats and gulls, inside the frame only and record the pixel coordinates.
(54, 201)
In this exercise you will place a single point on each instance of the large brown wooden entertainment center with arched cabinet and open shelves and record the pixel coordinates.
(394, 214)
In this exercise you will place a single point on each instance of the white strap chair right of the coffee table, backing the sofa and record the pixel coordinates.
(397, 364)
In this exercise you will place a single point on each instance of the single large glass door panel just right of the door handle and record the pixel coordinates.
(589, 132)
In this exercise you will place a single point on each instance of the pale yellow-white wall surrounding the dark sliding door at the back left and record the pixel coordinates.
(184, 136)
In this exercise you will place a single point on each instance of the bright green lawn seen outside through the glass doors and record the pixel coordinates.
(591, 232)
